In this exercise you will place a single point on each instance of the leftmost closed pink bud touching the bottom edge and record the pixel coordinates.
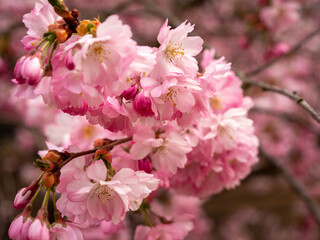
(19, 228)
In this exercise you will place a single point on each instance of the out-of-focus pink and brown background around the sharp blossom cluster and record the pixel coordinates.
(249, 33)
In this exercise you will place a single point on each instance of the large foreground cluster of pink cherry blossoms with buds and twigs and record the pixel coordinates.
(159, 122)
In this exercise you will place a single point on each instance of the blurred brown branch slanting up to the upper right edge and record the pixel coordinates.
(293, 49)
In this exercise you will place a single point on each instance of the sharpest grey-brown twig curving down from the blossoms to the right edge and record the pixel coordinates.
(292, 95)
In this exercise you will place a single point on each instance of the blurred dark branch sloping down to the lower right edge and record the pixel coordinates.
(295, 184)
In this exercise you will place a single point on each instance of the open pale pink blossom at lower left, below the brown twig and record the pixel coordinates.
(106, 199)
